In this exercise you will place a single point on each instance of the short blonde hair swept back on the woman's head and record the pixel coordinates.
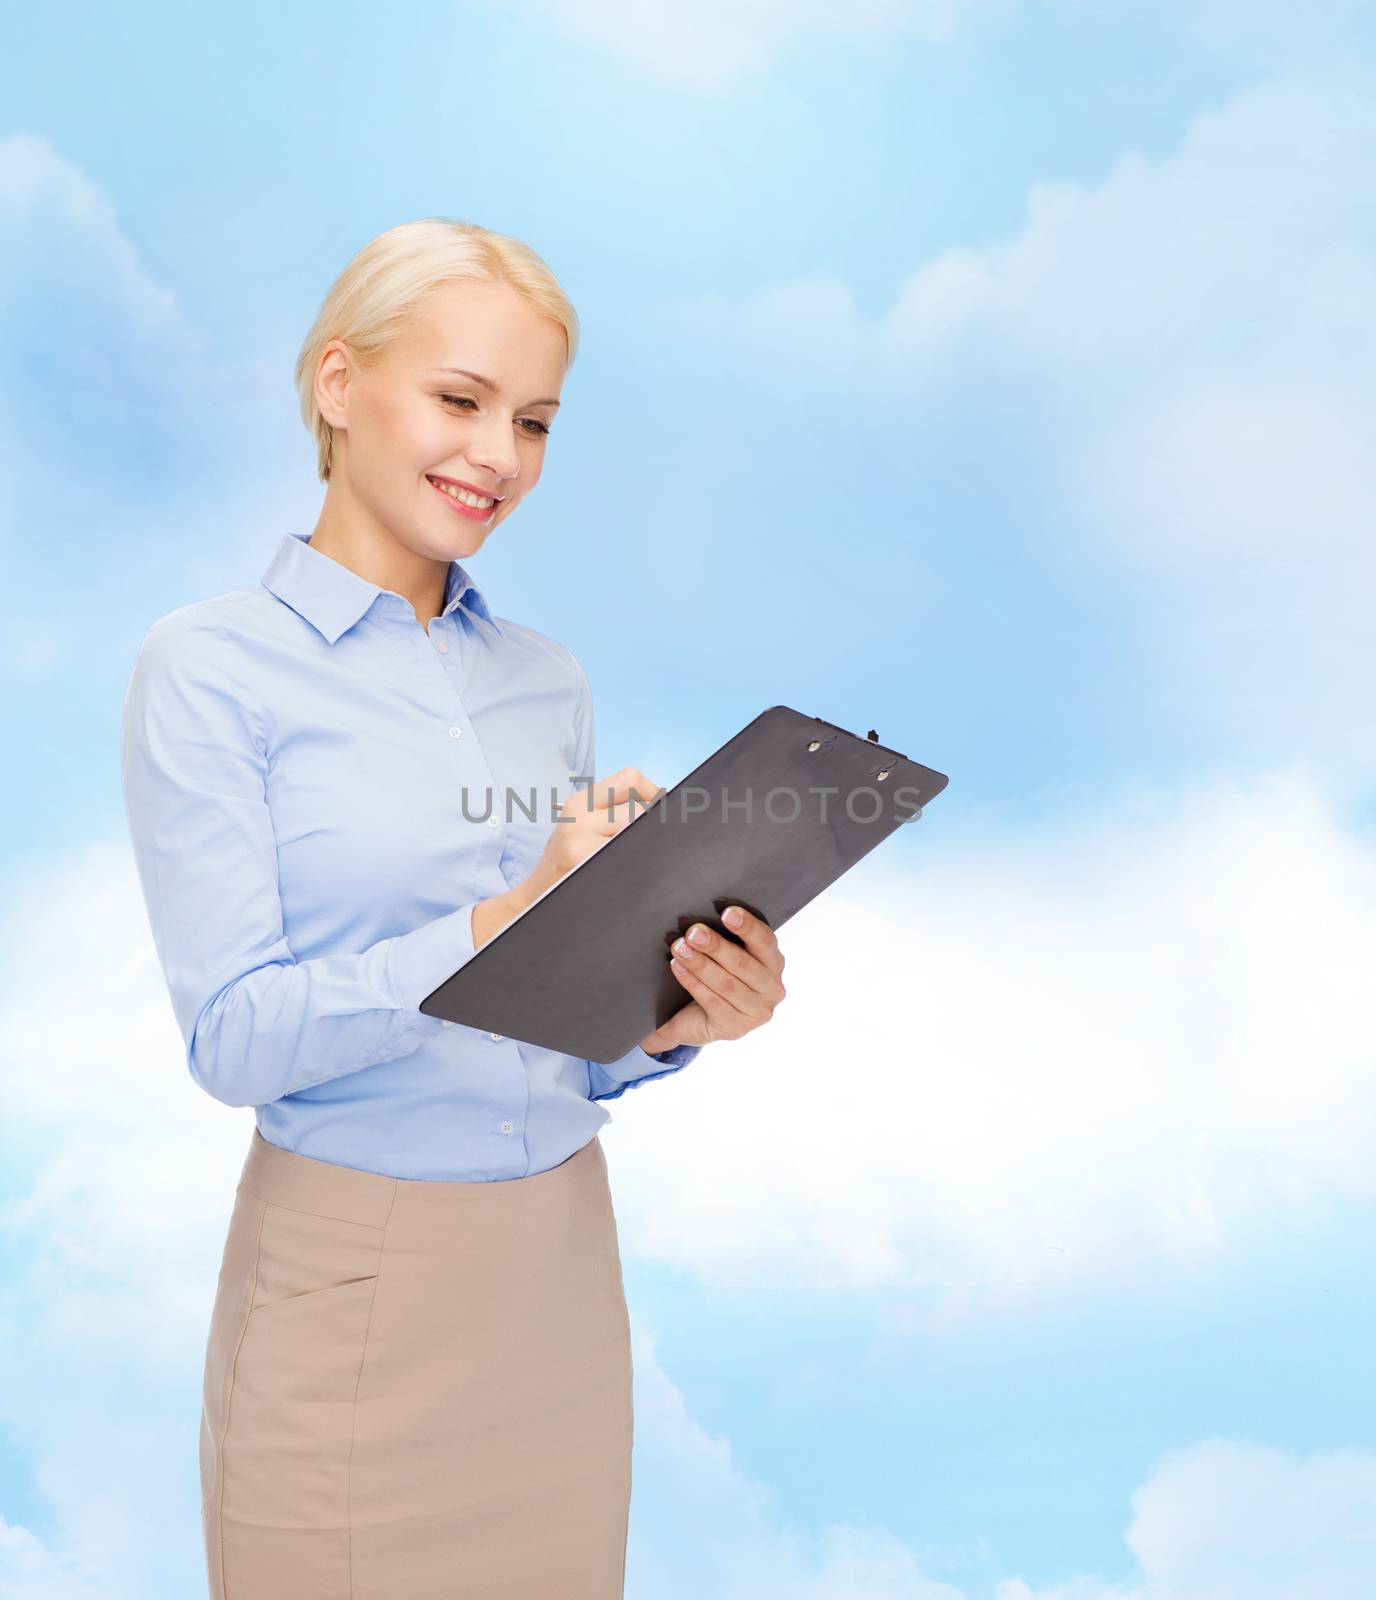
(393, 274)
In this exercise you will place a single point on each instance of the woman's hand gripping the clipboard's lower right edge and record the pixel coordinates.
(734, 990)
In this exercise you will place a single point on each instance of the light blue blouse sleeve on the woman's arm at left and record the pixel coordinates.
(257, 1022)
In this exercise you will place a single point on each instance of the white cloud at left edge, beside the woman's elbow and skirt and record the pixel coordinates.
(119, 1182)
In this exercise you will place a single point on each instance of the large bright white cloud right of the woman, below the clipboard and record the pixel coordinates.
(1036, 1065)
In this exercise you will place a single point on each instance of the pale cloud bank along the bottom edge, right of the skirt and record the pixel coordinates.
(1218, 1521)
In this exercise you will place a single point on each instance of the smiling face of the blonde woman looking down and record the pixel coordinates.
(465, 396)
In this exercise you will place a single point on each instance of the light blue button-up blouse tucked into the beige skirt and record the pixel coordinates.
(298, 759)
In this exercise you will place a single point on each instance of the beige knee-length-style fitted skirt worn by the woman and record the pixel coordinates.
(417, 1391)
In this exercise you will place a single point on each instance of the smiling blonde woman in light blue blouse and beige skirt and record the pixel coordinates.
(418, 1372)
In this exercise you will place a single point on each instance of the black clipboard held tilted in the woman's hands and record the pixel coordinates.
(769, 822)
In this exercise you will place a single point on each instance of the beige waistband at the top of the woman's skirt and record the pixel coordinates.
(348, 1193)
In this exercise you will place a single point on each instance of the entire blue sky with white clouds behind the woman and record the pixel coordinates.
(994, 374)
